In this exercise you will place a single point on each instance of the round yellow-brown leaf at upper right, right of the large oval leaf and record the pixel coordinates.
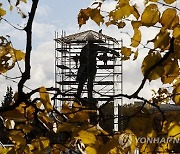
(169, 18)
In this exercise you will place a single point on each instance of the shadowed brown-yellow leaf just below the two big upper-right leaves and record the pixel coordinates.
(162, 39)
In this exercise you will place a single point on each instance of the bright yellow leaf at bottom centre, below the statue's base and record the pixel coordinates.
(87, 137)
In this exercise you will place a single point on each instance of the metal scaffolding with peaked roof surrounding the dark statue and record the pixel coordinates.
(108, 79)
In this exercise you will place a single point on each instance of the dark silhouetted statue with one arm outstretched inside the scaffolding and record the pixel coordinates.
(87, 69)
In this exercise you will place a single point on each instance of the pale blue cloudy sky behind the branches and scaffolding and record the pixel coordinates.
(58, 15)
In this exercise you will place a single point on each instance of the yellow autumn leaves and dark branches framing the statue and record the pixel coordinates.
(33, 125)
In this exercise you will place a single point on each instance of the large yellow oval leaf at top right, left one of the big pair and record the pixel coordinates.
(150, 15)
